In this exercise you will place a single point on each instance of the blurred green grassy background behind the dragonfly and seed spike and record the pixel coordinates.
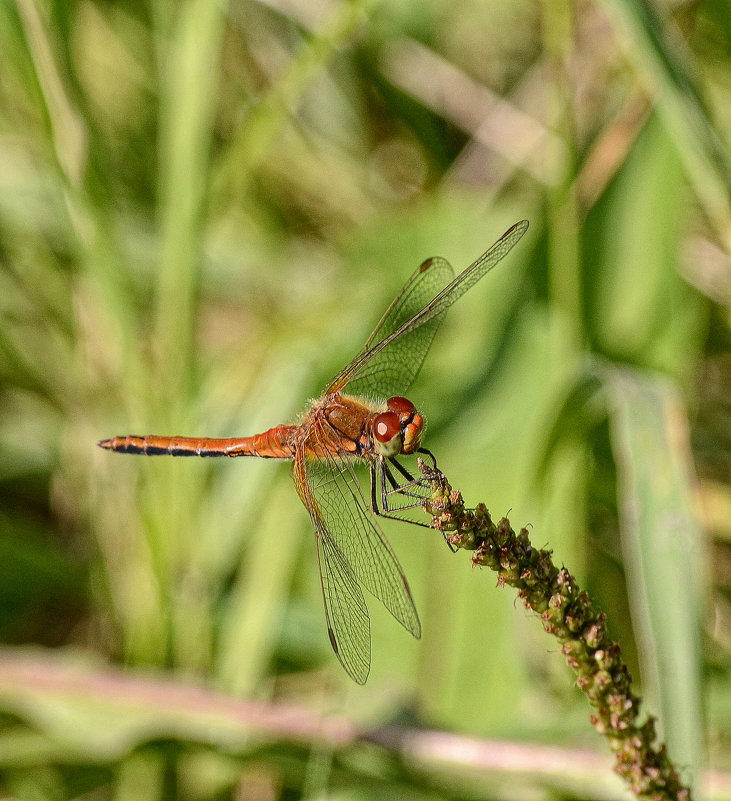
(205, 207)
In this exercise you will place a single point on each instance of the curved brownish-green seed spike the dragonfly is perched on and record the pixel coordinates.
(569, 614)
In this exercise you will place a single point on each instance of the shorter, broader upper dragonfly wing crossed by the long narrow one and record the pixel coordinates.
(392, 370)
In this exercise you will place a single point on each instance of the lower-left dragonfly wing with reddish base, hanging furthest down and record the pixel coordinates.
(346, 613)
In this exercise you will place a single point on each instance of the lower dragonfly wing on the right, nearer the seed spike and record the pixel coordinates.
(358, 536)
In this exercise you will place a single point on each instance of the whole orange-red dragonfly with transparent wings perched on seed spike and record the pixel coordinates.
(350, 425)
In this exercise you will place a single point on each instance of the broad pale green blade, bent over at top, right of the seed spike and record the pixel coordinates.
(663, 547)
